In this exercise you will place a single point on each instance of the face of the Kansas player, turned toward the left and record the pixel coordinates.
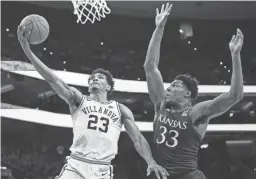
(176, 92)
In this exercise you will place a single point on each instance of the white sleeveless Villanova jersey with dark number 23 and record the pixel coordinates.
(96, 129)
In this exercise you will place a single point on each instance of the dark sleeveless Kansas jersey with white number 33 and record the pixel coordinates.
(177, 142)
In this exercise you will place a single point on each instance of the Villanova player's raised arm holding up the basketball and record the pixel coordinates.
(70, 95)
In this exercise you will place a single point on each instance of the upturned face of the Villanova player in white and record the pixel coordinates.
(98, 81)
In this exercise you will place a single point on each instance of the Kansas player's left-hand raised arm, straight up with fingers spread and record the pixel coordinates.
(153, 75)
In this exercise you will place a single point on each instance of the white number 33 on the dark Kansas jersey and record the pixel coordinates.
(169, 138)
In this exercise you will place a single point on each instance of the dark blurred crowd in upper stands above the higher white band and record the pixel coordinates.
(119, 43)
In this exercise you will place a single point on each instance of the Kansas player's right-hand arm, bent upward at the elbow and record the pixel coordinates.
(225, 101)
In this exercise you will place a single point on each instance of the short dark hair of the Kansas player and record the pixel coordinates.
(190, 82)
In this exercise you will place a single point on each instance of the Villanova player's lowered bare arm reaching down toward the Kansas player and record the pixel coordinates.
(140, 143)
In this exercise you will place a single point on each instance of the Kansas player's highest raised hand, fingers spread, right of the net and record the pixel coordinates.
(161, 17)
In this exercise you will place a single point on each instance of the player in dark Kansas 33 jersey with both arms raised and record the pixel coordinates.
(178, 126)
